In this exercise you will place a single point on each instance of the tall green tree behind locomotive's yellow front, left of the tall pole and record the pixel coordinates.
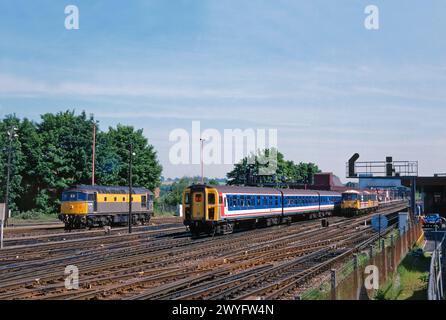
(66, 155)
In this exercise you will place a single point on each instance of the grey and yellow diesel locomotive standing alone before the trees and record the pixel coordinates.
(85, 206)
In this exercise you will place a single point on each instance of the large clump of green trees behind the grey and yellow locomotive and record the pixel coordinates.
(56, 152)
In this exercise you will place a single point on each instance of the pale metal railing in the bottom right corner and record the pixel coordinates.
(435, 288)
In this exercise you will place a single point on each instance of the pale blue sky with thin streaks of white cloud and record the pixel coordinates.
(307, 68)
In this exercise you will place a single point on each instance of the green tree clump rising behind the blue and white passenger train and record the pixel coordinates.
(247, 171)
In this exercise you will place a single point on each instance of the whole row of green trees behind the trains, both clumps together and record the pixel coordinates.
(55, 153)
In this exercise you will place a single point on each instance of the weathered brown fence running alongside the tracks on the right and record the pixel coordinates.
(347, 281)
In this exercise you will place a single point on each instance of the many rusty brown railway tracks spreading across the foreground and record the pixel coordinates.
(171, 265)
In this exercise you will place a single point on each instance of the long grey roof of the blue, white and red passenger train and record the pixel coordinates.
(267, 190)
